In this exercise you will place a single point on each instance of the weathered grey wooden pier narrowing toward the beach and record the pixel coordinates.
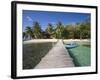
(57, 57)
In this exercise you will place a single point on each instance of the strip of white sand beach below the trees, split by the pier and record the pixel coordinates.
(53, 40)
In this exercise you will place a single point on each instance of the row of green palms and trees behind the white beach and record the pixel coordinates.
(59, 31)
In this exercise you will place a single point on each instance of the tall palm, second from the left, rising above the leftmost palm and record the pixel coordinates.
(37, 30)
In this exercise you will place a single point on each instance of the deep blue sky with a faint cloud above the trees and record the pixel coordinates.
(44, 17)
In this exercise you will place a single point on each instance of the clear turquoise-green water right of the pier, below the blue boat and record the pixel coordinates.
(81, 55)
